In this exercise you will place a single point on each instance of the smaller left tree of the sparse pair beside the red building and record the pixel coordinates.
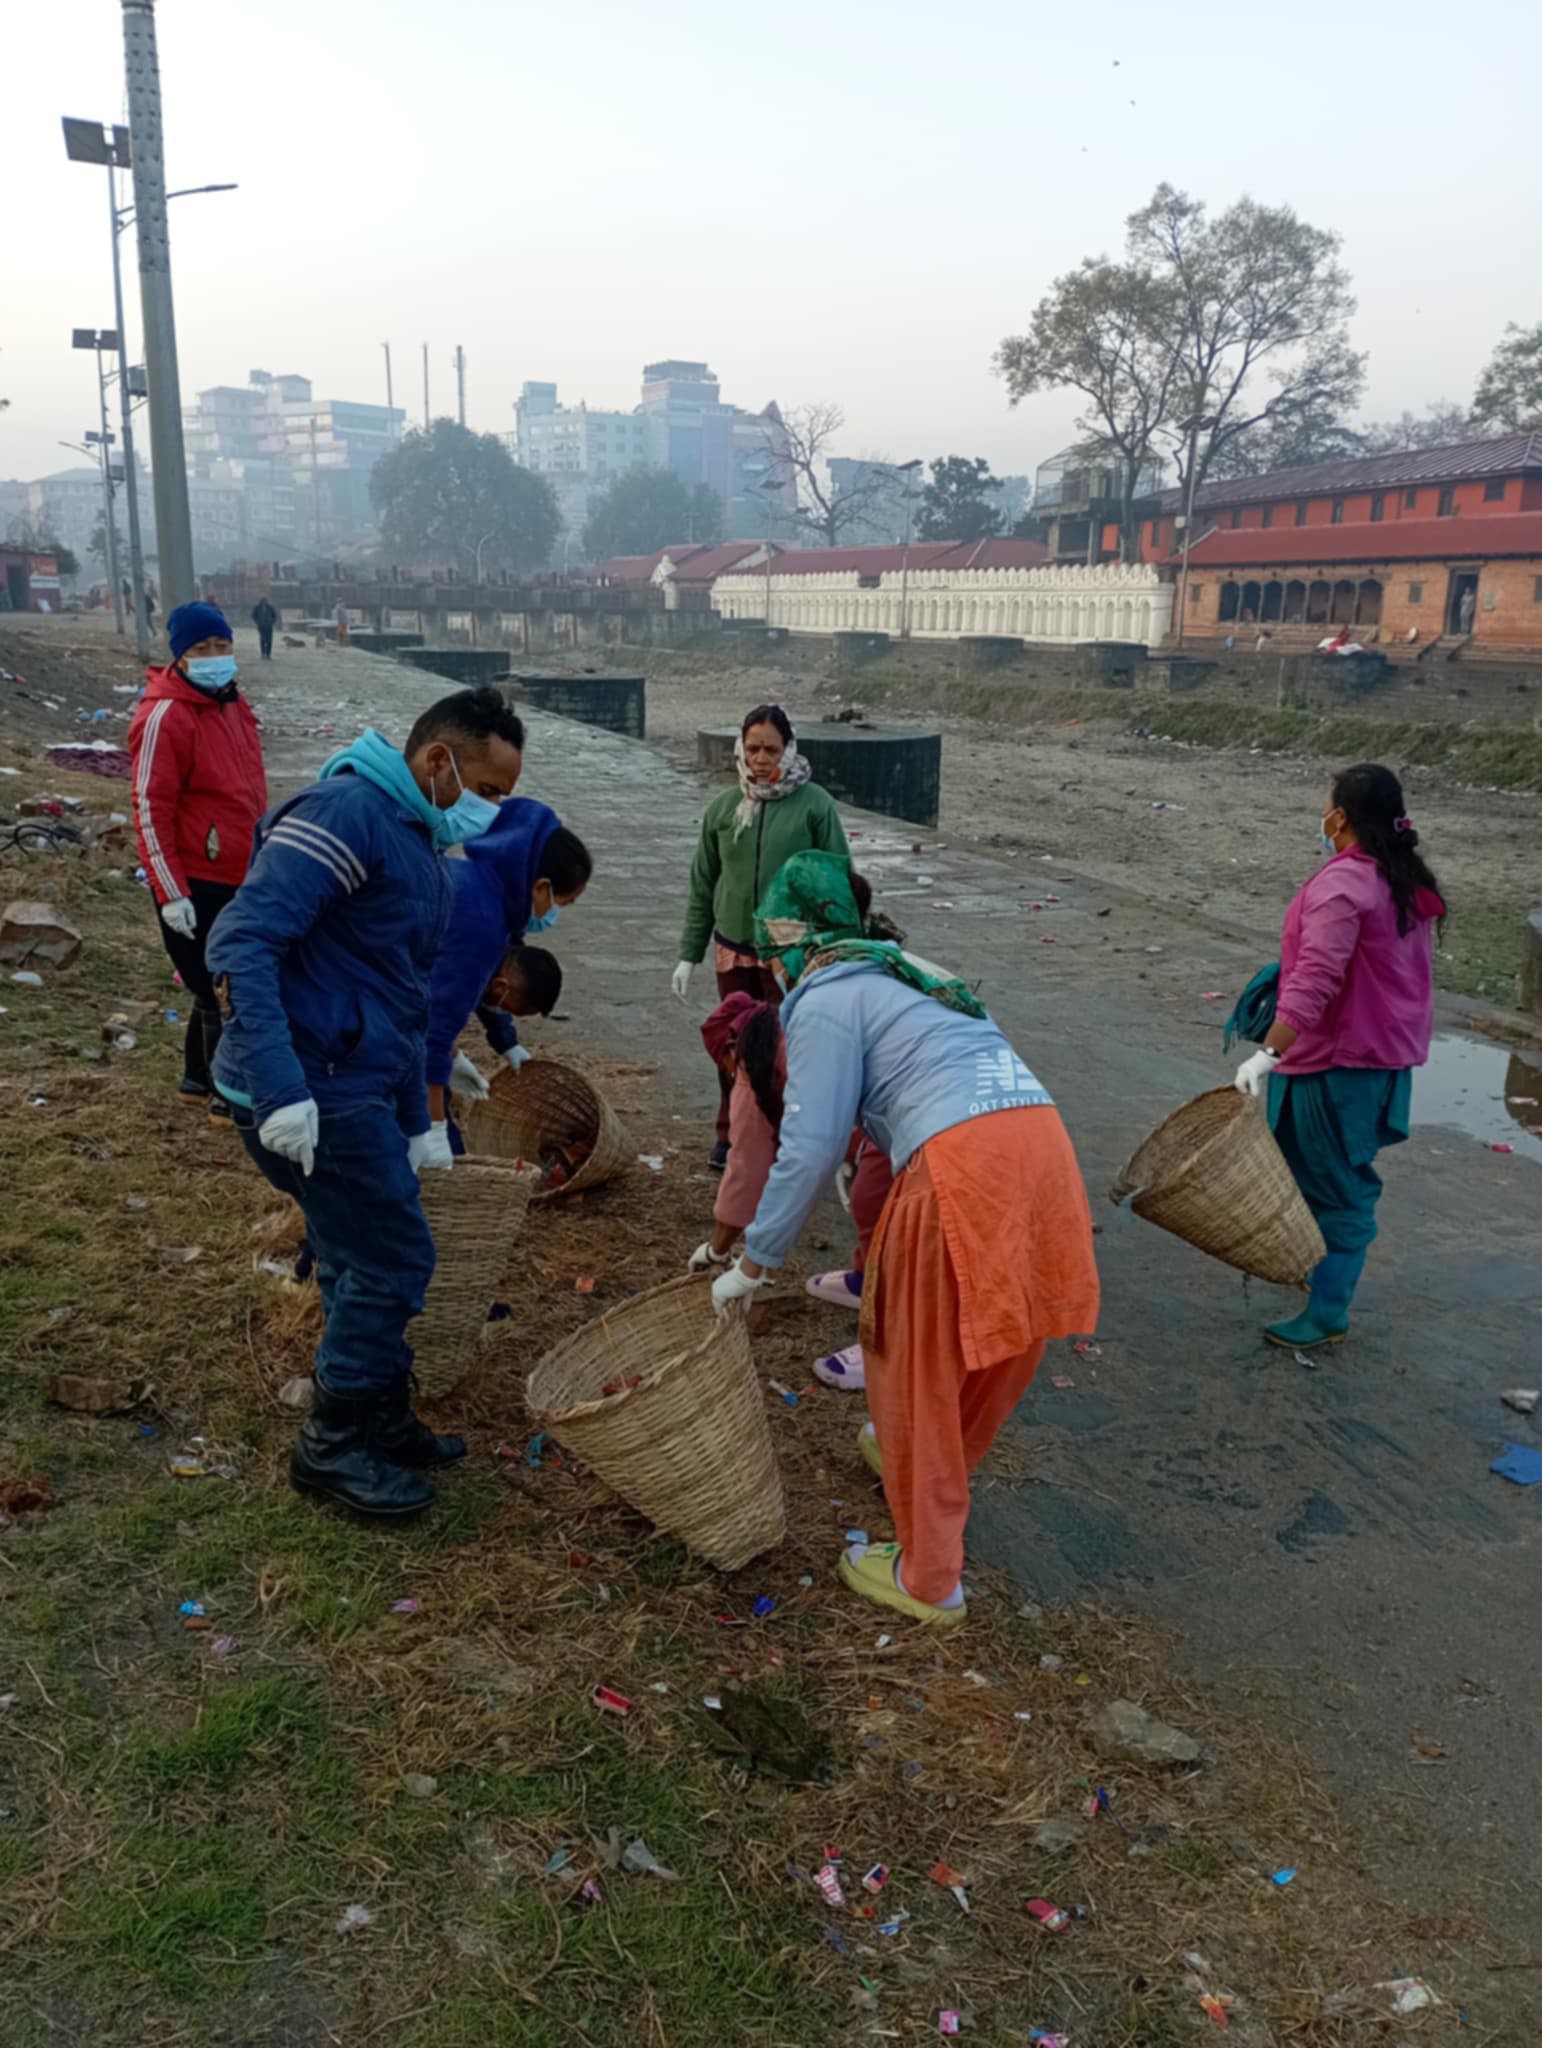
(1109, 333)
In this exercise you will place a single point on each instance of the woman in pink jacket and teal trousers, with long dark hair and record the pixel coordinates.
(1351, 1025)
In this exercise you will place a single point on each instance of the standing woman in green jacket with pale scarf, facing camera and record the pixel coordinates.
(748, 835)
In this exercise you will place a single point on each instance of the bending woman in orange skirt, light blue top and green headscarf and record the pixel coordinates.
(984, 1250)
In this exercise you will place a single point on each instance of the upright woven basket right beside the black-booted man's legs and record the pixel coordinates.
(476, 1213)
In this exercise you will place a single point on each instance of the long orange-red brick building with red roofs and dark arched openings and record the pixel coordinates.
(1402, 548)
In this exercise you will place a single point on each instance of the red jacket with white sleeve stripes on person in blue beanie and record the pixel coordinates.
(198, 783)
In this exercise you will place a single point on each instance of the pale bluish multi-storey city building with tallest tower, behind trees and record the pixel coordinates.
(681, 425)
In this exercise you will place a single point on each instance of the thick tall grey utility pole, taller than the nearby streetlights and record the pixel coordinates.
(159, 321)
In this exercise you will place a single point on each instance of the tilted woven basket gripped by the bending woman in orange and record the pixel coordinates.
(689, 1445)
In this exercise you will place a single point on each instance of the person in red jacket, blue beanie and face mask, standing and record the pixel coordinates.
(198, 796)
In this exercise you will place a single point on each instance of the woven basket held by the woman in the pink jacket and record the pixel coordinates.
(1215, 1179)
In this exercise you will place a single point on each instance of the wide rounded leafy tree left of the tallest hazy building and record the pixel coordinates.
(445, 495)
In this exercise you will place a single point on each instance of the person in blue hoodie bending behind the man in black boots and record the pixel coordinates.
(515, 880)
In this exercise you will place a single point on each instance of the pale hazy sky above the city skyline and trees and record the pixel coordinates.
(824, 200)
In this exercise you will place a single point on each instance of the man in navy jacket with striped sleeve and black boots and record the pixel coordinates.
(325, 959)
